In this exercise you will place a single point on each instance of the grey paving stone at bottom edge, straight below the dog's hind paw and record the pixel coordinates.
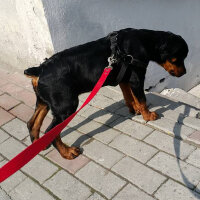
(66, 186)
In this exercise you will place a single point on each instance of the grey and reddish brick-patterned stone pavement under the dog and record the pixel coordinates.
(124, 157)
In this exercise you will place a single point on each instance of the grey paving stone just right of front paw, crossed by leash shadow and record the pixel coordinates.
(171, 127)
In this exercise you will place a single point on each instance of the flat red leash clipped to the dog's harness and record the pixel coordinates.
(31, 151)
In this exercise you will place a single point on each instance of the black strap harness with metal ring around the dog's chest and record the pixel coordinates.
(126, 60)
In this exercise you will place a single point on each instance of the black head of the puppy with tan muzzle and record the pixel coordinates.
(173, 51)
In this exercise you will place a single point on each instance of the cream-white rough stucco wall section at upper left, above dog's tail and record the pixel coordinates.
(24, 35)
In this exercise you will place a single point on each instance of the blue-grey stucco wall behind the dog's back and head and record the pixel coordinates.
(73, 22)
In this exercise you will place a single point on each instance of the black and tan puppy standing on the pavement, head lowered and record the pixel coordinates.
(59, 80)
